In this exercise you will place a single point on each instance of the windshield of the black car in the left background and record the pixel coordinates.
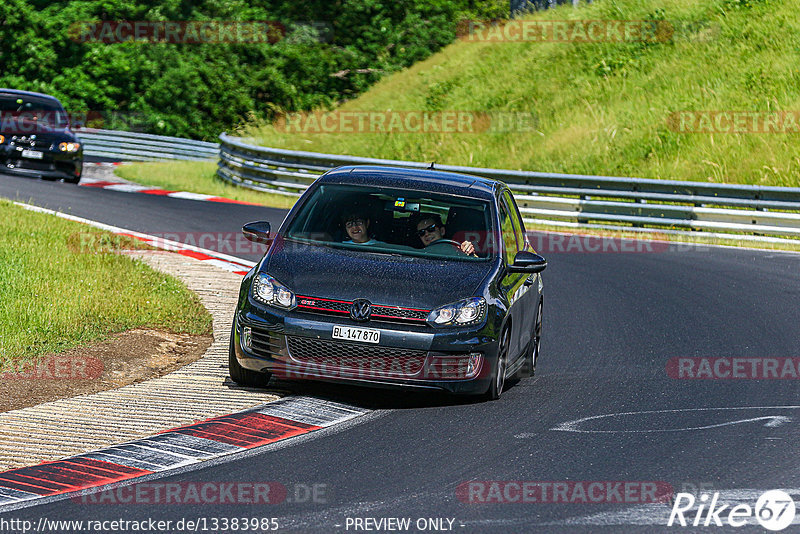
(26, 114)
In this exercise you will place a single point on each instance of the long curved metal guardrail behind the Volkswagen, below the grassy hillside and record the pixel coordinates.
(550, 198)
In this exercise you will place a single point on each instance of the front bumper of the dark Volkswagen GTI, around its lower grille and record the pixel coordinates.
(300, 346)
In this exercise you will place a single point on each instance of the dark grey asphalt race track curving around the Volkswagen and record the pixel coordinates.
(613, 321)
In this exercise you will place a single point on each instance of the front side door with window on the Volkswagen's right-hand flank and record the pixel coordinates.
(512, 285)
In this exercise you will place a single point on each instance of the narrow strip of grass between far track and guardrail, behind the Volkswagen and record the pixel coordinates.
(197, 177)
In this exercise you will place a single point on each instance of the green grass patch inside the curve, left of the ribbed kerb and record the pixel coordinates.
(63, 286)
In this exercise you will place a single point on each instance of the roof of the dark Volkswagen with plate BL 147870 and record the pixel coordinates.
(432, 181)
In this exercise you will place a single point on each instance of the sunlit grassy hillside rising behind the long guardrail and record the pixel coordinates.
(603, 108)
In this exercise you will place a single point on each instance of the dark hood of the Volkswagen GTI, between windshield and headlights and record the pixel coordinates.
(345, 274)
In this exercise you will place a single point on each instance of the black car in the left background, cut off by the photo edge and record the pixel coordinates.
(36, 139)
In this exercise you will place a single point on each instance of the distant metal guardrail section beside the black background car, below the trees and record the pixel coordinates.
(131, 146)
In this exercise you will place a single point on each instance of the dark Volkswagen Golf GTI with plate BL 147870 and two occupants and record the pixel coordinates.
(392, 308)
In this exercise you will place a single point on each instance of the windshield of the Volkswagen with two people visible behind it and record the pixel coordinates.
(395, 221)
